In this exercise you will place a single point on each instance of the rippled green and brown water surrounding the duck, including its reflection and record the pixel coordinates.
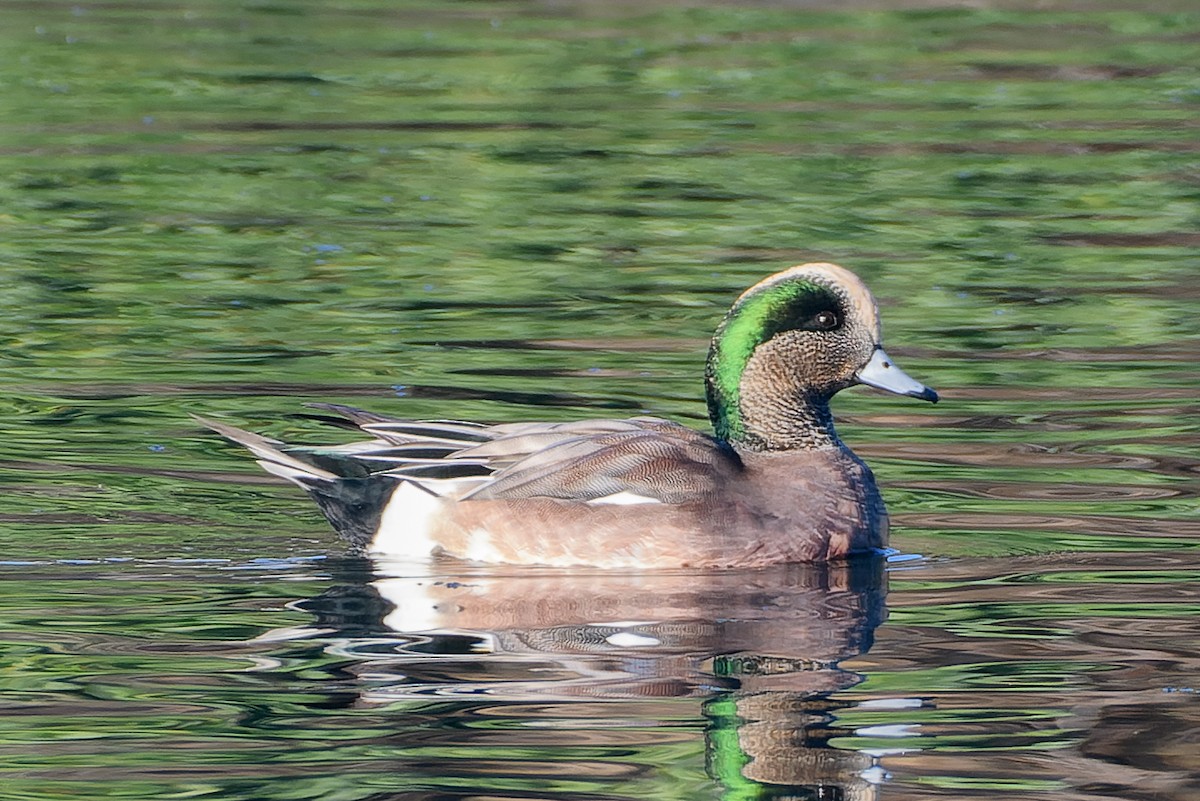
(512, 212)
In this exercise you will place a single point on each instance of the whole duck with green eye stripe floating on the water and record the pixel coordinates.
(772, 484)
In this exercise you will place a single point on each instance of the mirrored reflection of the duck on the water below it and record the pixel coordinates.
(757, 652)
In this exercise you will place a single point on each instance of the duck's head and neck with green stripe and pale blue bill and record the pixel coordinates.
(787, 347)
